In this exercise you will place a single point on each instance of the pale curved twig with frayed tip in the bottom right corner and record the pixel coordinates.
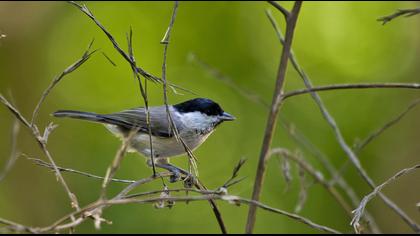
(358, 212)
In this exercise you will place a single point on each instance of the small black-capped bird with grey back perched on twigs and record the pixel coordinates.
(194, 119)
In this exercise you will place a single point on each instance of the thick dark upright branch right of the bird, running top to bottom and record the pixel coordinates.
(272, 118)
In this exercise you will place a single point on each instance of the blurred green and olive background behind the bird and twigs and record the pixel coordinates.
(334, 42)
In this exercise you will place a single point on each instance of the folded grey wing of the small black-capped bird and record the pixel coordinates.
(136, 118)
